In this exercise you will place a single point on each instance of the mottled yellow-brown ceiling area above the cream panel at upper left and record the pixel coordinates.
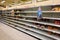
(11, 2)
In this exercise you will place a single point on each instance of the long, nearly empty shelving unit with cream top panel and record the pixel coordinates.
(26, 20)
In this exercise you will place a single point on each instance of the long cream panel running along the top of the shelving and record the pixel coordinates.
(37, 4)
